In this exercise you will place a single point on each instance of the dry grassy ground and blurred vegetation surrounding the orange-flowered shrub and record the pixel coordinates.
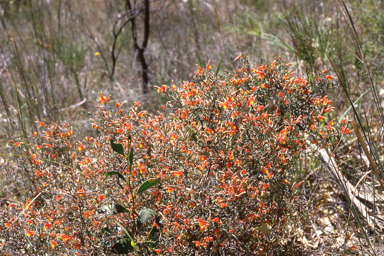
(56, 56)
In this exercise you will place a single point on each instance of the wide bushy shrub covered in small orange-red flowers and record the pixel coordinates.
(215, 176)
